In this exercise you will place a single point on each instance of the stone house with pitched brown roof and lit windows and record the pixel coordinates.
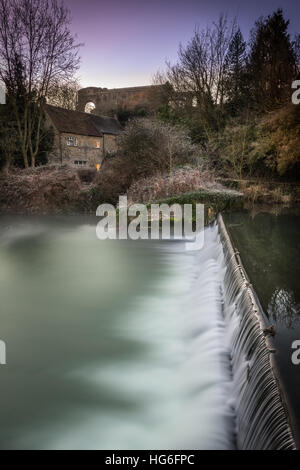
(81, 139)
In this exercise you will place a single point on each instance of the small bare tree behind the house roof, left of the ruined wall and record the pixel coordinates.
(64, 95)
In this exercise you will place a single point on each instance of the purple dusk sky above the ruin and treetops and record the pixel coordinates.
(126, 42)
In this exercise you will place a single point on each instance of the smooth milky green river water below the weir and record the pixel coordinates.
(110, 344)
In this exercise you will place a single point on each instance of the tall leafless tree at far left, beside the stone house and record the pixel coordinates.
(37, 50)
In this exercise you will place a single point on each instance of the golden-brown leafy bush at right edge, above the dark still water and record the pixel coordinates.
(265, 146)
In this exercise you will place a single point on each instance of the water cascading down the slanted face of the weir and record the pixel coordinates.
(261, 415)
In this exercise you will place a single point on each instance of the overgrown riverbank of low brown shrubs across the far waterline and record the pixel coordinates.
(63, 190)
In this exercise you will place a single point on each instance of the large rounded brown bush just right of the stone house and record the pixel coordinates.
(146, 148)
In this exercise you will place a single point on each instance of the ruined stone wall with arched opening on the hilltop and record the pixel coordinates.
(104, 100)
